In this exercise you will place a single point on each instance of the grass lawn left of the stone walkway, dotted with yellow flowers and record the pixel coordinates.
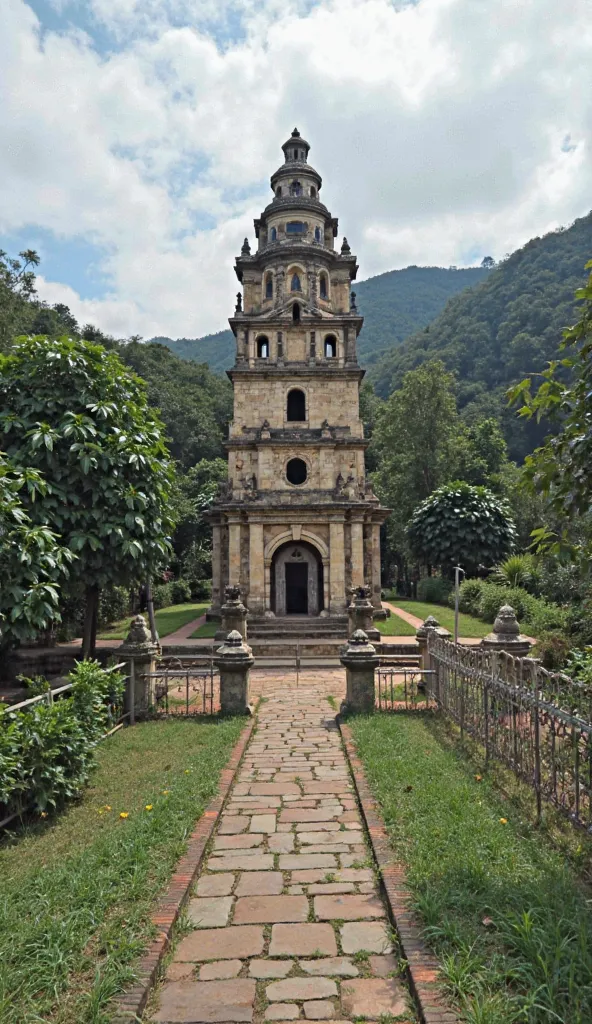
(77, 891)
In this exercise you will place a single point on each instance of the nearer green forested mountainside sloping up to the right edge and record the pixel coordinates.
(503, 330)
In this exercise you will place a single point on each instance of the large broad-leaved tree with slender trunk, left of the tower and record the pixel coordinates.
(72, 411)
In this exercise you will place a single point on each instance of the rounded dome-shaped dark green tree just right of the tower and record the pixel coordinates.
(461, 525)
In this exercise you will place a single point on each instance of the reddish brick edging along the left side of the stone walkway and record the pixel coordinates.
(130, 1007)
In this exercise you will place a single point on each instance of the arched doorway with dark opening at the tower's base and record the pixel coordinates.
(298, 583)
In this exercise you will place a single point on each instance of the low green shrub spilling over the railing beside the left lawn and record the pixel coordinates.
(48, 751)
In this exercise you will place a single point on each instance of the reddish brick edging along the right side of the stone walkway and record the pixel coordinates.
(424, 968)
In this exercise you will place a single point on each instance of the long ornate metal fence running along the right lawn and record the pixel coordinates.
(538, 723)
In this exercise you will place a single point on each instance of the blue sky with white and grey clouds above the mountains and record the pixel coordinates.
(138, 138)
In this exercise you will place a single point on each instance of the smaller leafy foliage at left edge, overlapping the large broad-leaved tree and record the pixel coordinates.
(32, 563)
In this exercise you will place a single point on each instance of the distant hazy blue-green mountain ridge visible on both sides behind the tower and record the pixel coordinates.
(394, 306)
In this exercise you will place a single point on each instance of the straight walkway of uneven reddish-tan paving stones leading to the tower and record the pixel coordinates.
(286, 921)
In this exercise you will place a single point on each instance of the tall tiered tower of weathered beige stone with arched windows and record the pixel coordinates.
(298, 525)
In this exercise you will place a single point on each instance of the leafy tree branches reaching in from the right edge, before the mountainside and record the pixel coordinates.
(561, 470)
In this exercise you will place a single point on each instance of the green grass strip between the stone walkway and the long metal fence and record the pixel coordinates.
(504, 911)
